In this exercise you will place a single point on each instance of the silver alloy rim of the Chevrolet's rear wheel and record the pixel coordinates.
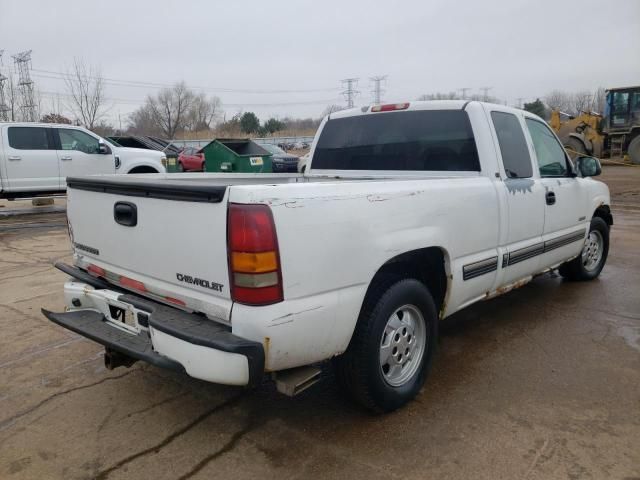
(402, 345)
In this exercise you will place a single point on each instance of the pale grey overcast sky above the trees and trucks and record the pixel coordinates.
(288, 57)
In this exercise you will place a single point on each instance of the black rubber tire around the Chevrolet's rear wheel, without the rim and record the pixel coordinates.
(359, 370)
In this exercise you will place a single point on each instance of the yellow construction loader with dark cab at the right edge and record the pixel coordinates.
(616, 134)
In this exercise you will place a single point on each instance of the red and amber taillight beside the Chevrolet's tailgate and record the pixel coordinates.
(254, 260)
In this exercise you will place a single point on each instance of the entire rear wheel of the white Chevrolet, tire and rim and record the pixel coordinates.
(392, 346)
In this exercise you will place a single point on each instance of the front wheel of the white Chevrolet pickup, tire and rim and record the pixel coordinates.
(591, 260)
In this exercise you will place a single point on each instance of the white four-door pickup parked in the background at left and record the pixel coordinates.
(36, 158)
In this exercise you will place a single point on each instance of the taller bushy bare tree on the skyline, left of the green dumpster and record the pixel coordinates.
(170, 107)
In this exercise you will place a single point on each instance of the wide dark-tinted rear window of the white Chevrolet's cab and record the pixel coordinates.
(433, 140)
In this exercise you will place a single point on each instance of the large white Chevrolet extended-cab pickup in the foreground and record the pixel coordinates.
(406, 214)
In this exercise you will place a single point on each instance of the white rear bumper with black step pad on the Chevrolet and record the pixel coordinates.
(163, 336)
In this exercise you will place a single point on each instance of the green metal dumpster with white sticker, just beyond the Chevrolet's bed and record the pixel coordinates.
(237, 155)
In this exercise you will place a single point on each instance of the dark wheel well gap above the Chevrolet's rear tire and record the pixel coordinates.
(426, 265)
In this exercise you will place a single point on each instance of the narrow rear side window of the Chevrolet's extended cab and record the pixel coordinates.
(513, 146)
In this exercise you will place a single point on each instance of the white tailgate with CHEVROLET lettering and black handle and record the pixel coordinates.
(167, 239)
